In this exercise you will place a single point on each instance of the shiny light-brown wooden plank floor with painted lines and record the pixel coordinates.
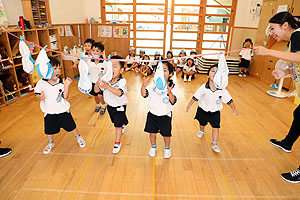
(248, 166)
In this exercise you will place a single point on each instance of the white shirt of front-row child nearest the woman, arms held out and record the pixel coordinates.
(211, 101)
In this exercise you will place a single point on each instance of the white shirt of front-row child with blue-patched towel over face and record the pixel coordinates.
(159, 104)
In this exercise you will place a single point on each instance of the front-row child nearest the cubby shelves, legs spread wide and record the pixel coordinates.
(53, 94)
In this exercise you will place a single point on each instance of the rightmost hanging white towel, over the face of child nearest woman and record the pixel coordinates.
(221, 75)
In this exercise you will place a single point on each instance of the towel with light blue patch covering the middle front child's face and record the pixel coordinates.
(159, 79)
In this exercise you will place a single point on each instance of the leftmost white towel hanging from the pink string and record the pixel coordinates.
(27, 61)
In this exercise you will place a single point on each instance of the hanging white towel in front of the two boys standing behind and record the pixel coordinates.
(84, 83)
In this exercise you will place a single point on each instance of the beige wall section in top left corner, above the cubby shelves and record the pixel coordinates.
(13, 9)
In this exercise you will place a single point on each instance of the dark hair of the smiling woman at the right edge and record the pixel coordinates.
(282, 17)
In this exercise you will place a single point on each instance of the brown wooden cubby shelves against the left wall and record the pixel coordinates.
(13, 67)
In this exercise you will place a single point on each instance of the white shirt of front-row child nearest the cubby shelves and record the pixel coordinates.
(54, 102)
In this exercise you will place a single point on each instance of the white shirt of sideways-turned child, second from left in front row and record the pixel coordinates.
(114, 100)
